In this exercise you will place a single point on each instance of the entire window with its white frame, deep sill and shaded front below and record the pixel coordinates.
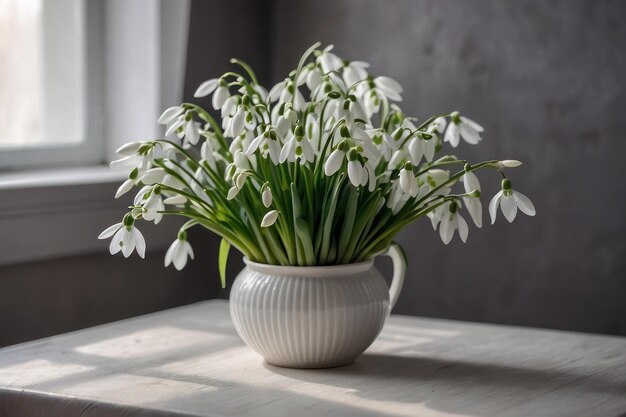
(77, 79)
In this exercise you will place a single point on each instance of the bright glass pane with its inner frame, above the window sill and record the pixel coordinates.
(44, 83)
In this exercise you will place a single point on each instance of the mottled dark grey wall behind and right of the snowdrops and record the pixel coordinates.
(546, 79)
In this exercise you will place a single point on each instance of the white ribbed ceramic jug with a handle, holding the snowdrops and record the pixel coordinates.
(313, 316)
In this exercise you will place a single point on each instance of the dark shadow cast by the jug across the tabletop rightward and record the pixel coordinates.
(433, 382)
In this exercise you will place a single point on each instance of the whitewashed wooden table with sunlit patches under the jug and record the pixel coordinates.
(188, 361)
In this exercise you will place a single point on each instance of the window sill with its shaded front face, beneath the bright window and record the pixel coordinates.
(58, 213)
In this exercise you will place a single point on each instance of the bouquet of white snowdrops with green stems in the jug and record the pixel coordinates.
(323, 169)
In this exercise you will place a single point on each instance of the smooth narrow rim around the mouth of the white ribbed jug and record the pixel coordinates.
(314, 271)
